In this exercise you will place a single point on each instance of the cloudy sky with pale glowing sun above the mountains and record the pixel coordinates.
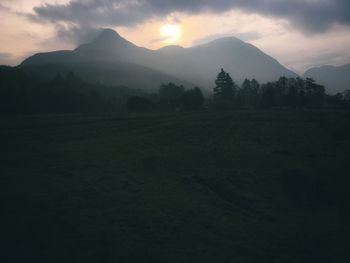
(300, 34)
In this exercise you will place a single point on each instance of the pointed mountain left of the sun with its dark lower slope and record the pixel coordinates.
(107, 60)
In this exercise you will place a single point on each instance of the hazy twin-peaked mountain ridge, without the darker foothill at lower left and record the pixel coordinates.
(198, 64)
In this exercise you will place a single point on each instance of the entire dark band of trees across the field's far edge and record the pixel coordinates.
(22, 93)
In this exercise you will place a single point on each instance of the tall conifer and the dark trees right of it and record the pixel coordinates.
(283, 93)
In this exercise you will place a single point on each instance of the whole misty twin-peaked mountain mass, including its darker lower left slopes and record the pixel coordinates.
(114, 60)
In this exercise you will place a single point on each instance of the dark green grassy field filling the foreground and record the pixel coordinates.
(202, 187)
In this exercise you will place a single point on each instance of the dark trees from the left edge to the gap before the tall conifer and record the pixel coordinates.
(22, 93)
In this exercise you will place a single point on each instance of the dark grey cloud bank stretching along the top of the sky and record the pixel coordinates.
(311, 16)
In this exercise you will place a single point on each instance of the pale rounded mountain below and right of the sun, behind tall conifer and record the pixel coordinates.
(200, 64)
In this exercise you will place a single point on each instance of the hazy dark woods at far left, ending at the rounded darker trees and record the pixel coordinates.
(22, 93)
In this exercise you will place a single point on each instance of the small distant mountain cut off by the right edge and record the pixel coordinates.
(335, 79)
